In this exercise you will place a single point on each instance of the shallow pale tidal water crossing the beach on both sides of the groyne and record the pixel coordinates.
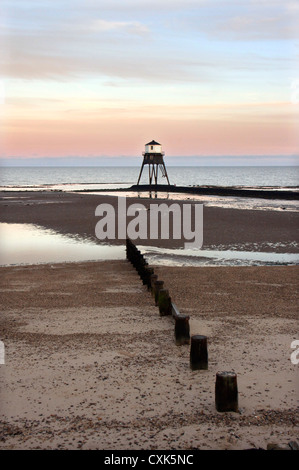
(30, 244)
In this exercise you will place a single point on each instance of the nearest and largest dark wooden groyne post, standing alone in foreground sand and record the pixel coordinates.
(226, 391)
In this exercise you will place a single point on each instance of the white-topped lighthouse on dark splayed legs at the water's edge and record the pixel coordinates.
(153, 157)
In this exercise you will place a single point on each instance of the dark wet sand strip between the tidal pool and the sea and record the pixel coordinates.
(75, 214)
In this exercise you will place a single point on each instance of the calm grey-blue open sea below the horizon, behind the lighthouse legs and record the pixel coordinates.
(67, 178)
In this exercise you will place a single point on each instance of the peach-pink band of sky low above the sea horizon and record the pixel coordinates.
(270, 130)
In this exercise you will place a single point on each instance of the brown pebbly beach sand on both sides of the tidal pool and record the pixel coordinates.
(91, 364)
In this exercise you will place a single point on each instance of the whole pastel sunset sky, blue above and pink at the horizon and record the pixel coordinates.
(101, 78)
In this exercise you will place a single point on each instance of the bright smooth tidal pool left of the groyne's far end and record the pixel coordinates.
(29, 244)
